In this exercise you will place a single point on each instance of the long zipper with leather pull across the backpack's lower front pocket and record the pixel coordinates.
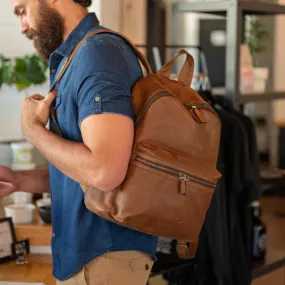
(184, 177)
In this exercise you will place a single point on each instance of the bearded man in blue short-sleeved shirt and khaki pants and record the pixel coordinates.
(94, 112)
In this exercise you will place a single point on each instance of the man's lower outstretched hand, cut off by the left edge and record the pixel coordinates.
(8, 181)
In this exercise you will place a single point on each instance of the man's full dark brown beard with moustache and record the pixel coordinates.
(48, 35)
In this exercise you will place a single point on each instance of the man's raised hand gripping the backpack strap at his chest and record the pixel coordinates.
(35, 112)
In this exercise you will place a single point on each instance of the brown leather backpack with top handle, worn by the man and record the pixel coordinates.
(172, 170)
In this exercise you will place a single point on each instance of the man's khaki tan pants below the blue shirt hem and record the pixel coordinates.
(115, 268)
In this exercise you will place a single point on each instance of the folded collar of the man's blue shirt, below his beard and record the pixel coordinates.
(88, 22)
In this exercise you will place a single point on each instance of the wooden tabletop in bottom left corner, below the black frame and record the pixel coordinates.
(39, 269)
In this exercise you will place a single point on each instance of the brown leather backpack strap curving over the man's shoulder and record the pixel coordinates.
(65, 66)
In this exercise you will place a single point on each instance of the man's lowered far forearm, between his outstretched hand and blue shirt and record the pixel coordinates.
(34, 181)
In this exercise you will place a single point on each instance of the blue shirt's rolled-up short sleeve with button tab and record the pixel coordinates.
(103, 85)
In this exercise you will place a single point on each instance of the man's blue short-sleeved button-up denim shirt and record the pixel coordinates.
(99, 80)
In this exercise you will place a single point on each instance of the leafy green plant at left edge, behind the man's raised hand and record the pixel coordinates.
(22, 71)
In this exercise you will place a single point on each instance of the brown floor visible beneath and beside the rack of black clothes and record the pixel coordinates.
(276, 241)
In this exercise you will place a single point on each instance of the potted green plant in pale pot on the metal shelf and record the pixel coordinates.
(256, 35)
